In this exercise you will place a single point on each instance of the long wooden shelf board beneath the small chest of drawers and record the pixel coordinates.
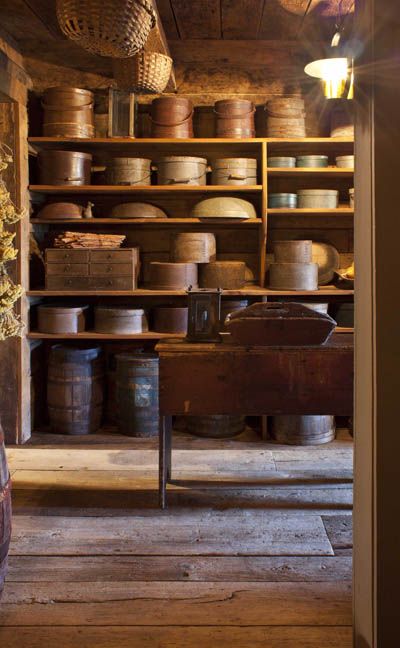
(251, 291)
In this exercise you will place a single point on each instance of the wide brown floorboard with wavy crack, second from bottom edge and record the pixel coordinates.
(142, 603)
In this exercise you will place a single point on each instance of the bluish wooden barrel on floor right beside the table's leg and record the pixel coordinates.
(137, 394)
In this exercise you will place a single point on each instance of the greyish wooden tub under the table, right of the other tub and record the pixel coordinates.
(303, 430)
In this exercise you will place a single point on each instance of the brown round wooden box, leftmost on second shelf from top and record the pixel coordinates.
(64, 167)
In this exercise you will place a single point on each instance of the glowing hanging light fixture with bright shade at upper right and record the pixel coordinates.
(336, 70)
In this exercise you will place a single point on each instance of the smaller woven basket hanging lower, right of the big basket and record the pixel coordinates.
(144, 73)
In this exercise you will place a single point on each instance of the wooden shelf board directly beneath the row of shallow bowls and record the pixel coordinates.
(146, 221)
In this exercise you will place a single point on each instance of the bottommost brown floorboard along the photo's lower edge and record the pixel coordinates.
(177, 637)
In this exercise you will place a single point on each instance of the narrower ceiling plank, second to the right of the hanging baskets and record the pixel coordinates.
(241, 19)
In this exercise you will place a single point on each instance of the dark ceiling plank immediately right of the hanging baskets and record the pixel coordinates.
(198, 19)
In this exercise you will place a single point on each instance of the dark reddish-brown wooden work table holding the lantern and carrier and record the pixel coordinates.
(204, 379)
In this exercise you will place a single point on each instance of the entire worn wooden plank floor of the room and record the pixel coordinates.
(95, 564)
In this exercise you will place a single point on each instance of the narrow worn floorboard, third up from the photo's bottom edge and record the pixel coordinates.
(64, 569)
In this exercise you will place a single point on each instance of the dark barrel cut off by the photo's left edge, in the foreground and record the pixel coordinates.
(5, 511)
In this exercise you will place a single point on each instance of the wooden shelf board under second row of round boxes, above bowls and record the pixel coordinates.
(140, 189)
